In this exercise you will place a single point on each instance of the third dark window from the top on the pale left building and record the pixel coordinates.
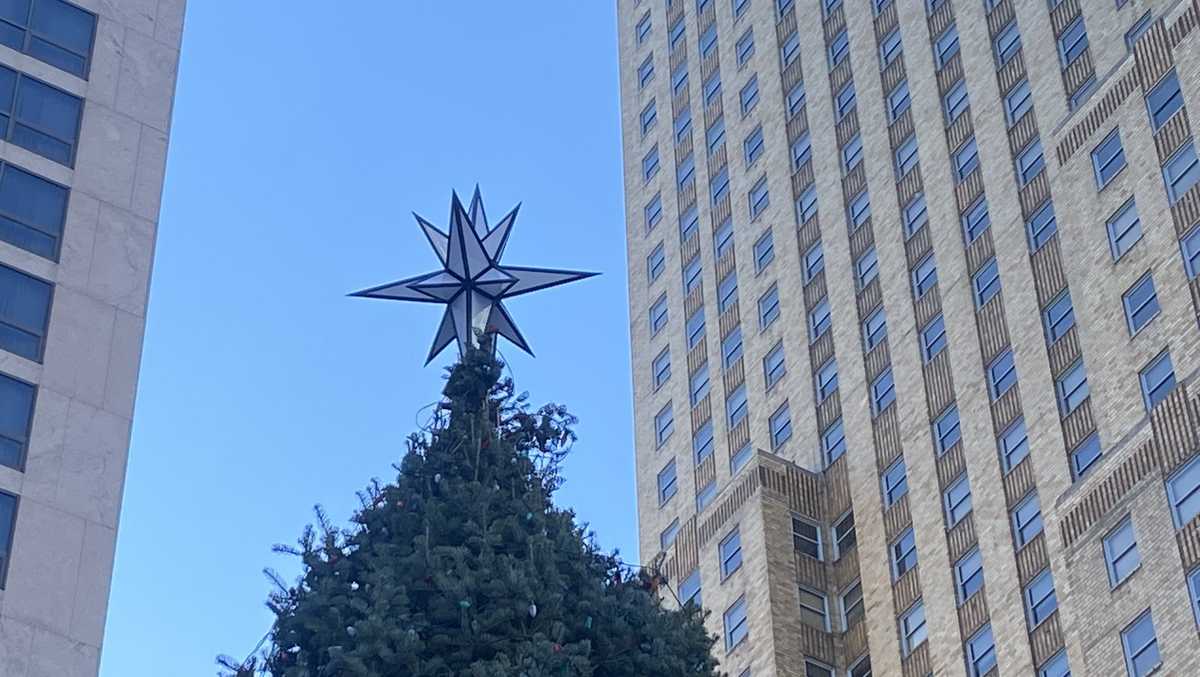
(33, 211)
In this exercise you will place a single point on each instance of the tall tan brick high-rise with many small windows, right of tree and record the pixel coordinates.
(915, 322)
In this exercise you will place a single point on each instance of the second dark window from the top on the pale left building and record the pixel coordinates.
(38, 117)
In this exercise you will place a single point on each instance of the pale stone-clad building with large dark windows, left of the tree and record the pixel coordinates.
(86, 104)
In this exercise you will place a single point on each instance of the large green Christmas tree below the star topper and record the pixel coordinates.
(465, 567)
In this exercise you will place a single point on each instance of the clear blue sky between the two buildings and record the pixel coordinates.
(304, 136)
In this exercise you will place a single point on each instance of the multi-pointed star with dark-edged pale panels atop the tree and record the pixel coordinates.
(472, 283)
